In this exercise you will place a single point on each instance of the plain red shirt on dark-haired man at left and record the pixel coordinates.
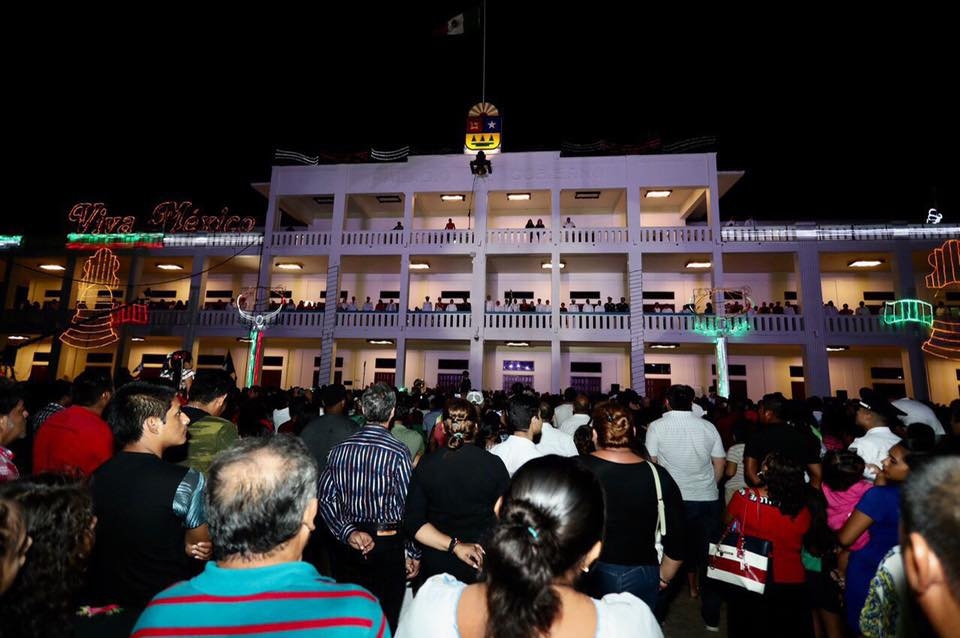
(72, 439)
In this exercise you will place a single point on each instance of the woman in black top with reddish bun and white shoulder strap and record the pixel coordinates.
(629, 561)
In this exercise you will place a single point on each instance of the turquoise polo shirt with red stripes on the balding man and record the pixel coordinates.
(289, 599)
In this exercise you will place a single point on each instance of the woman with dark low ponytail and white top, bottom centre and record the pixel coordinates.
(551, 523)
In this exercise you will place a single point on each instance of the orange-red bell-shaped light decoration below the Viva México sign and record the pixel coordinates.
(91, 326)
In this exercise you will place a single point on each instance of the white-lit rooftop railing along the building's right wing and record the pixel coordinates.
(839, 232)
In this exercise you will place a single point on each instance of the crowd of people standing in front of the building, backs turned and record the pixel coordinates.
(154, 509)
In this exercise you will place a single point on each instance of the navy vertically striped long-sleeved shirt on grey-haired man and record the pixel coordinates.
(366, 481)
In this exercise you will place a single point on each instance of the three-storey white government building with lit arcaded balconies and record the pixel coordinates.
(331, 232)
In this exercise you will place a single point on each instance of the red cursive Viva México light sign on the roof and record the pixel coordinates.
(168, 217)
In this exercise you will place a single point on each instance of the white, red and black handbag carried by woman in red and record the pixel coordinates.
(740, 559)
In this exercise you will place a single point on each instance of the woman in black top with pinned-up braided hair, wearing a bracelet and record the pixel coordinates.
(450, 502)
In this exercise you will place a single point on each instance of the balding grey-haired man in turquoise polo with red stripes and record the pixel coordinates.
(261, 503)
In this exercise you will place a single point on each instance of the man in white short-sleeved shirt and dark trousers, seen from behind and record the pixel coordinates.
(689, 448)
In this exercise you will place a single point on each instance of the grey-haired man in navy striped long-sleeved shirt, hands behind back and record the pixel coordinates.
(363, 494)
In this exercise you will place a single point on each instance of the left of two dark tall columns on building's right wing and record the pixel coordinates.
(816, 363)
